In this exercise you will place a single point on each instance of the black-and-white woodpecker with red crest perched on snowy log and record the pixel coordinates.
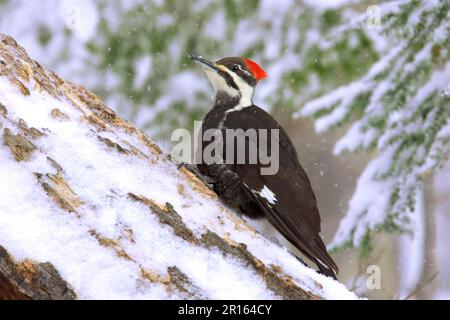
(285, 198)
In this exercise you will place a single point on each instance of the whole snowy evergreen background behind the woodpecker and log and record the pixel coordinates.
(134, 55)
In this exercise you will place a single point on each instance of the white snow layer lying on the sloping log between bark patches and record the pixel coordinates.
(33, 227)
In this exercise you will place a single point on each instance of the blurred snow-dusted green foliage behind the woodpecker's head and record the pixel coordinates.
(285, 38)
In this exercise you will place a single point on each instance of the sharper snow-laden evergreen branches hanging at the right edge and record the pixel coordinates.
(399, 108)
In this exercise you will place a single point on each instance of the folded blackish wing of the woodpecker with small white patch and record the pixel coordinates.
(286, 198)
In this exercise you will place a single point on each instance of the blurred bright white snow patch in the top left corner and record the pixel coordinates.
(19, 20)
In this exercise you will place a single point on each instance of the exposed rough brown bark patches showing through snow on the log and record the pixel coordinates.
(32, 280)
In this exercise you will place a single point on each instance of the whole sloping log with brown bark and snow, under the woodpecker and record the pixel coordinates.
(91, 208)
